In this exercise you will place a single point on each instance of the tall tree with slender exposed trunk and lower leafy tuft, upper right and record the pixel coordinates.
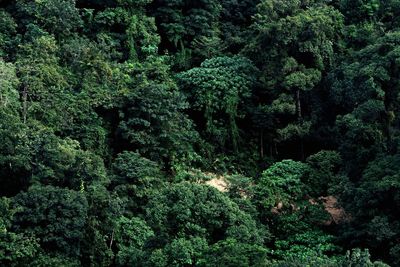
(294, 42)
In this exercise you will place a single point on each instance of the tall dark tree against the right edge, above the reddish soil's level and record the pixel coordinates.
(366, 88)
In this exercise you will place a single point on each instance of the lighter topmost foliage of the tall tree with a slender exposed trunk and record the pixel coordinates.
(304, 31)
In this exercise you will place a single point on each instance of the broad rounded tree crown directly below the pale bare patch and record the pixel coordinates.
(188, 210)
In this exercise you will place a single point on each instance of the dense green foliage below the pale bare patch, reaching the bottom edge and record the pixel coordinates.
(193, 223)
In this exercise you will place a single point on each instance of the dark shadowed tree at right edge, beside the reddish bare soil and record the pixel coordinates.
(373, 203)
